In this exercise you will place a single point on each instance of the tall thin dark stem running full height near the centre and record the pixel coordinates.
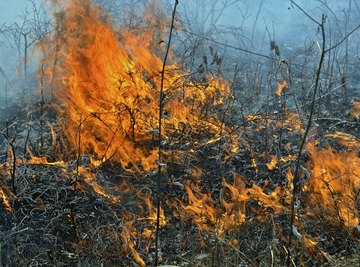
(161, 104)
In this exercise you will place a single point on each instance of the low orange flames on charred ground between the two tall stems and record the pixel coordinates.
(226, 215)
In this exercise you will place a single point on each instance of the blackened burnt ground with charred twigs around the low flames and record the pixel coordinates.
(59, 218)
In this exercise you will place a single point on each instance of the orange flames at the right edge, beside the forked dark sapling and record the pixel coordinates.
(334, 185)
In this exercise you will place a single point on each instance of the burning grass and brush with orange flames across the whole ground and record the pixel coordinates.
(227, 194)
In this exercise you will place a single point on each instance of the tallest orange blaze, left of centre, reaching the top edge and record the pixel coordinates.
(111, 79)
